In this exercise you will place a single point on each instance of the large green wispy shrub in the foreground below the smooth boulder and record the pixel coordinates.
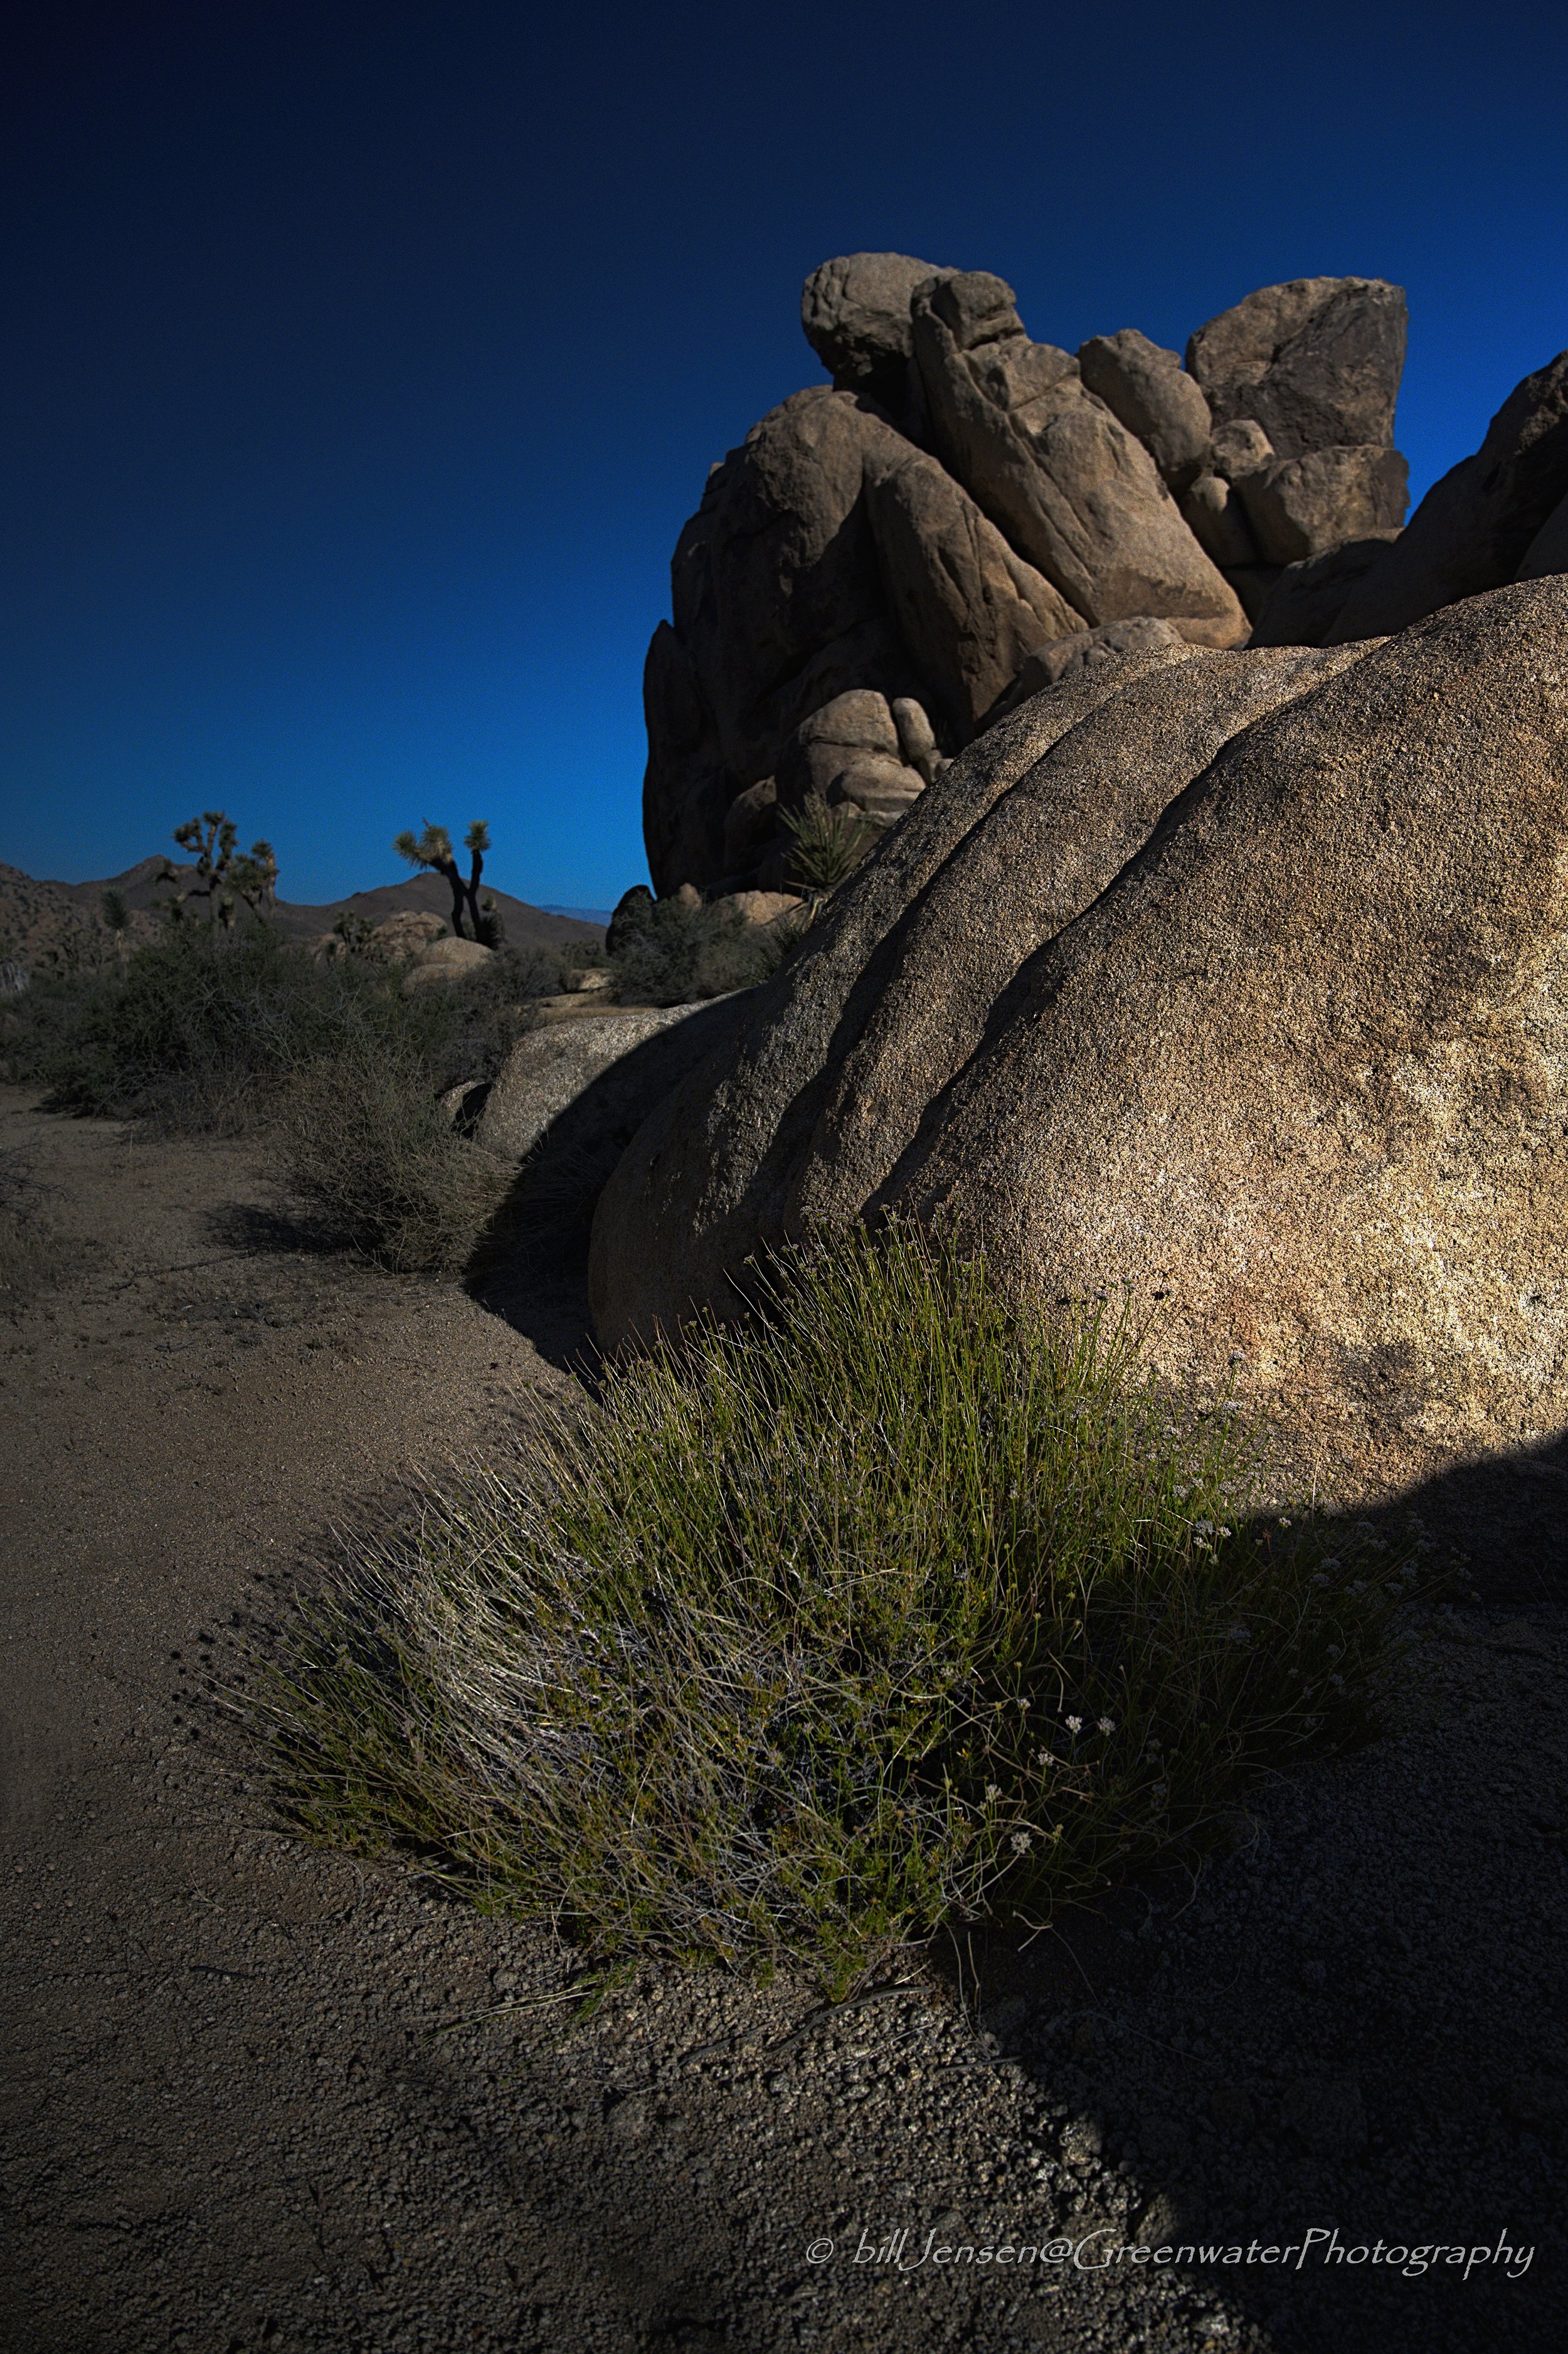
(898, 1604)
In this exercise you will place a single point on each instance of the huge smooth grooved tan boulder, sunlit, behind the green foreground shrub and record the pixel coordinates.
(1235, 978)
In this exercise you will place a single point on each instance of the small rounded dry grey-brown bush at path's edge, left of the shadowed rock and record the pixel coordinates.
(376, 1166)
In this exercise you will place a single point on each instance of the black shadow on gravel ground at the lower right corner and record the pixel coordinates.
(1350, 2021)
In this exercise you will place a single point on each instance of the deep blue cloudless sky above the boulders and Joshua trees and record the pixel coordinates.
(366, 359)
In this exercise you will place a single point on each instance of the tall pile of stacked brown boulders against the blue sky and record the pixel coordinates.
(882, 566)
